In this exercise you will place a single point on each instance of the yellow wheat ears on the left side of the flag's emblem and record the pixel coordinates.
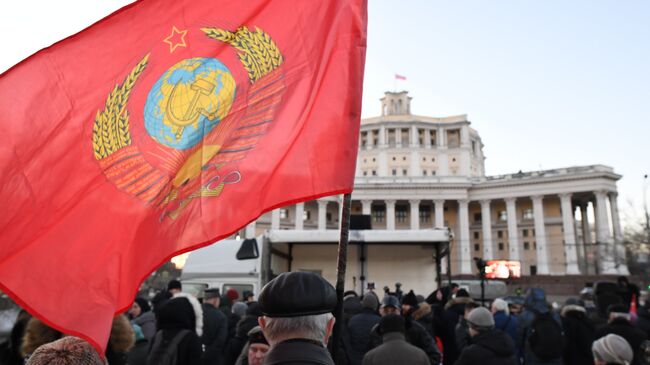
(111, 127)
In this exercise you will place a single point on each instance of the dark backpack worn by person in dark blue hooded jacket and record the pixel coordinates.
(546, 337)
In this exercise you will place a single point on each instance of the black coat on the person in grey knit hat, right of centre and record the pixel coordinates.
(494, 347)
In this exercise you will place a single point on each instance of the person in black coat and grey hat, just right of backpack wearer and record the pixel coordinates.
(579, 333)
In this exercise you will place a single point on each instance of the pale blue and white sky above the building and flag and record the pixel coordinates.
(547, 84)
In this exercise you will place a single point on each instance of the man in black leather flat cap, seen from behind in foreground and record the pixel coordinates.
(297, 318)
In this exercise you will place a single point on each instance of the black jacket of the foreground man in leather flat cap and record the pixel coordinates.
(298, 352)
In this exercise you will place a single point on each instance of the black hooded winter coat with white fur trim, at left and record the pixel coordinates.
(179, 314)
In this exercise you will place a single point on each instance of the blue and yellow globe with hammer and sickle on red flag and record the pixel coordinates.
(188, 101)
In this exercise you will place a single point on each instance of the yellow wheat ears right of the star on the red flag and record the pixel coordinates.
(257, 51)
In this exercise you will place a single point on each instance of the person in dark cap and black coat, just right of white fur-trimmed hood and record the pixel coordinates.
(215, 328)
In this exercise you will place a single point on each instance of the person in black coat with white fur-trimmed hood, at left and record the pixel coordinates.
(180, 325)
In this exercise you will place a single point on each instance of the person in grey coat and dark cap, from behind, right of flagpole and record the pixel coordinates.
(394, 348)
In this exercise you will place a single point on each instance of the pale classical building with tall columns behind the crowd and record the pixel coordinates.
(416, 173)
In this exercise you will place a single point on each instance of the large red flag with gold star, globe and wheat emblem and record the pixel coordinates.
(164, 127)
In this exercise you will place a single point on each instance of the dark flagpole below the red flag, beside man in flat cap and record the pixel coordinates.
(340, 272)
